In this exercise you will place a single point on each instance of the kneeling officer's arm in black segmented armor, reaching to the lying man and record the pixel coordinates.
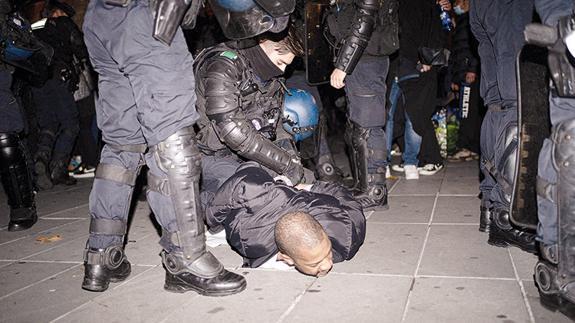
(232, 127)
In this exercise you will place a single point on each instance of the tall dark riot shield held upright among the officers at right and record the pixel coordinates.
(534, 127)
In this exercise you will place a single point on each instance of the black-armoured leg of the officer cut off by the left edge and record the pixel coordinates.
(15, 172)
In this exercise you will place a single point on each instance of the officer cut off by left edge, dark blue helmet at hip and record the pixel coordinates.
(19, 47)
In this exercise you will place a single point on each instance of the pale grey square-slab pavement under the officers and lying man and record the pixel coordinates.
(423, 261)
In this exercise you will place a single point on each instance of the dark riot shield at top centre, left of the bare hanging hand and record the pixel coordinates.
(318, 51)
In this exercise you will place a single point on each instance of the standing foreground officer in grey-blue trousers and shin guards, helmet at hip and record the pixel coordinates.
(146, 113)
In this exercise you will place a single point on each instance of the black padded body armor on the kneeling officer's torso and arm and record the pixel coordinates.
(240, 113)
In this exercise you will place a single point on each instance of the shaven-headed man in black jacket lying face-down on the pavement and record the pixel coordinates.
(266, 220)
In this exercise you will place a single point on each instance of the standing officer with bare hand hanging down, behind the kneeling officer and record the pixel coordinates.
(366, 33)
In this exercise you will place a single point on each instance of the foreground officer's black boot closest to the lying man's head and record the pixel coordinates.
(180, 279)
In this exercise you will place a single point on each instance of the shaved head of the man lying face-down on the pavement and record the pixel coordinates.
(302, 242)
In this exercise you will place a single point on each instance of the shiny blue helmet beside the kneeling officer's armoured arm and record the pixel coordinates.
(301, 114)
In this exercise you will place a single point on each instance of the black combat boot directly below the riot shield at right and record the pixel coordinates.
(503, 234)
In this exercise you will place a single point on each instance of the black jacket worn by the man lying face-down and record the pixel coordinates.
(249, 204)
